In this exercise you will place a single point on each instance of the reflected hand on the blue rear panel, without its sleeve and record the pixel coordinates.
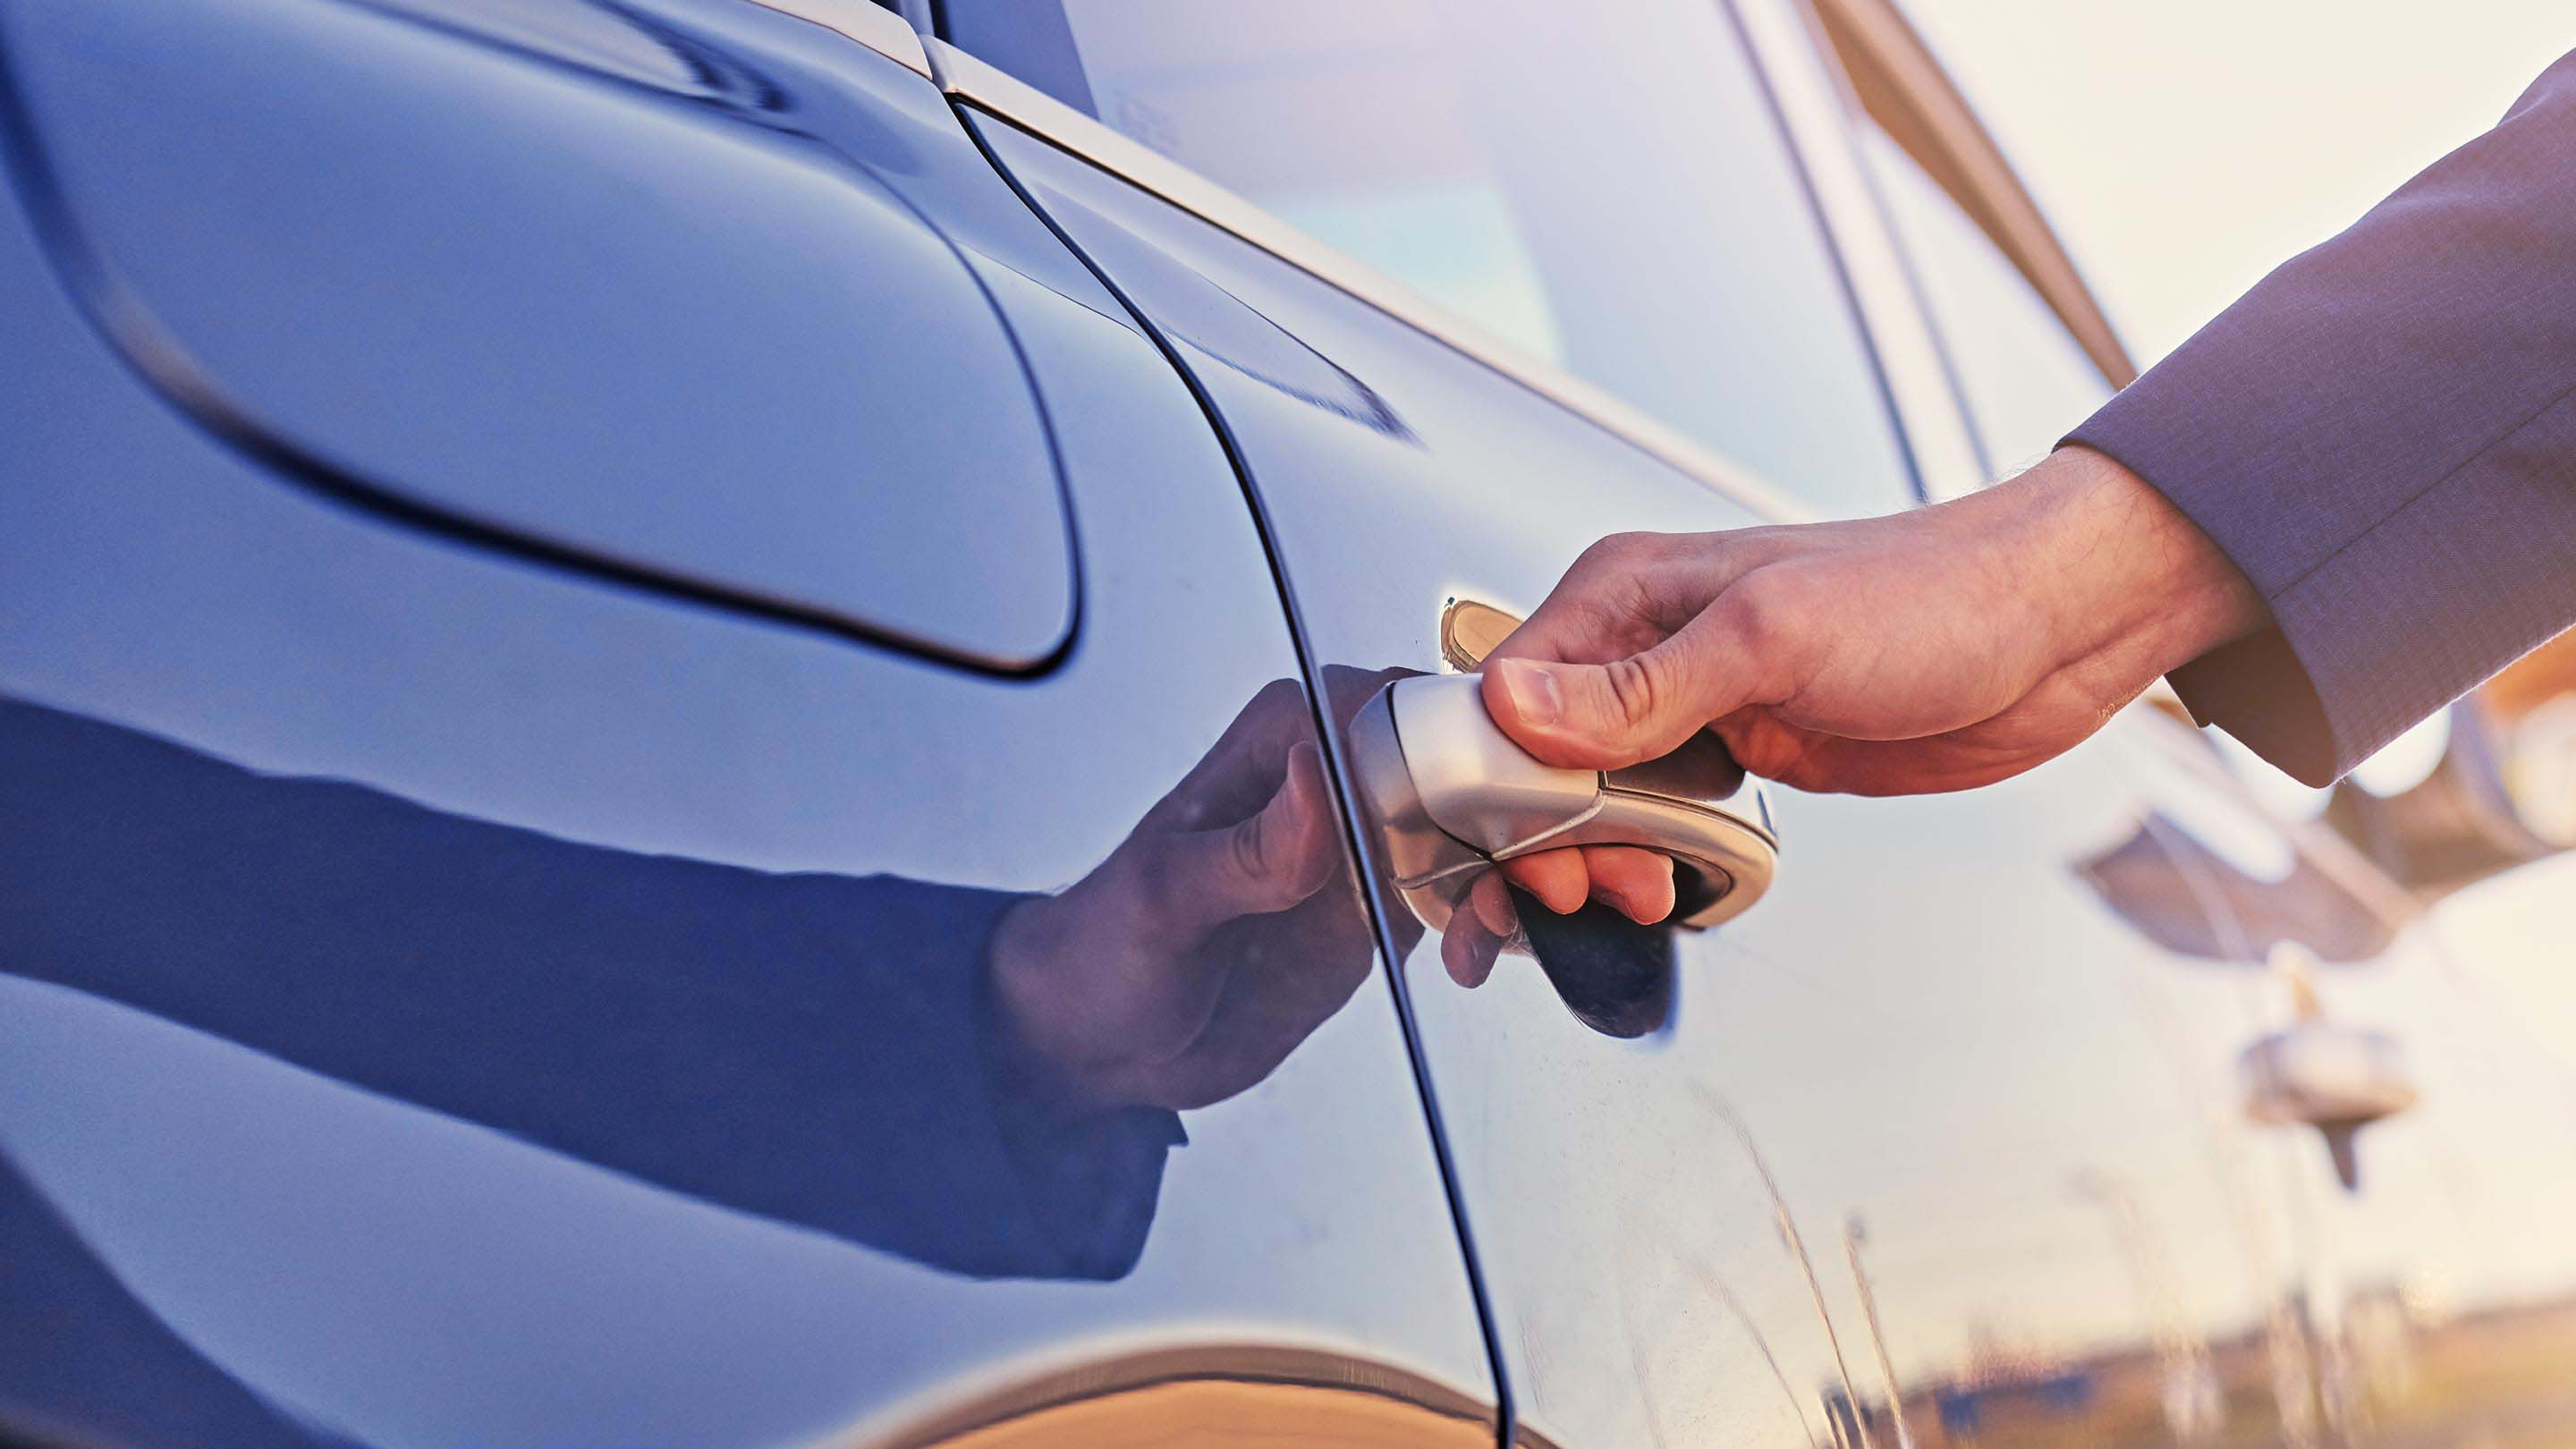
(1215, 940)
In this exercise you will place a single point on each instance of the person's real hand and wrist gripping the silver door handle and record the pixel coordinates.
(1915, 654)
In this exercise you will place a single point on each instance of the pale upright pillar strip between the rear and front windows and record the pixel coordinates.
(1794, 53)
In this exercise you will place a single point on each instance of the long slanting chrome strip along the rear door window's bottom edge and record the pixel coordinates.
(1060, 125)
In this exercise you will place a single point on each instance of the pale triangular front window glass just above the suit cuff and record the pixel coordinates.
(2021, 370)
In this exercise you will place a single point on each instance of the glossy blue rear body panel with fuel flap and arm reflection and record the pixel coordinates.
(656, 788)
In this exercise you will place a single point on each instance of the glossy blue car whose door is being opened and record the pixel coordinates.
(741, 723)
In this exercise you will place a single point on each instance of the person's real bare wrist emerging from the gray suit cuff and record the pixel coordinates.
(2137, 587)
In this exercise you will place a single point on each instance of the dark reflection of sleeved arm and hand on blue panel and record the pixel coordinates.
(880, 1058)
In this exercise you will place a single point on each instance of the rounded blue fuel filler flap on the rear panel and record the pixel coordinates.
(431, 318)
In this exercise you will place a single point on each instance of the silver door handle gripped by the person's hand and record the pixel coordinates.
(1452, 795)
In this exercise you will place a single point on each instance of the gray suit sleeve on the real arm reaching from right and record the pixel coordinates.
(2384, 440)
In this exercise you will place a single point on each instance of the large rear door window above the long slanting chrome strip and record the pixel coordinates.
(1601, 187)
